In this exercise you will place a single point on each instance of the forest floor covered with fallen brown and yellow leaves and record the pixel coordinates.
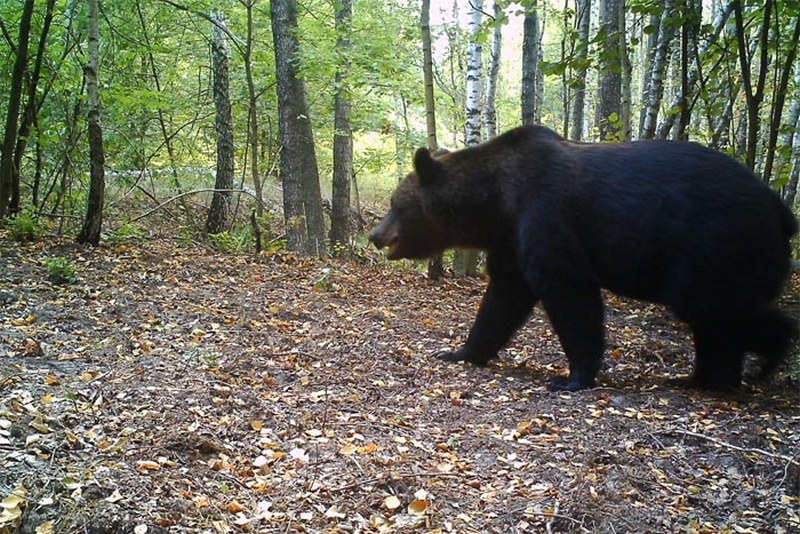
(172, 389)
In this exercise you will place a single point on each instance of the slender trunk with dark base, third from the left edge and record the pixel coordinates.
(90, 233)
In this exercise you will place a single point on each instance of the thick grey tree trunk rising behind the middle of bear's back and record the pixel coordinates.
(609, 109)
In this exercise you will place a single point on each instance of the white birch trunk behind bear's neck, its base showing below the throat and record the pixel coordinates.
(465, 262)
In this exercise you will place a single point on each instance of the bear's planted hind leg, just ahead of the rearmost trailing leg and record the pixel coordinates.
(719, 355)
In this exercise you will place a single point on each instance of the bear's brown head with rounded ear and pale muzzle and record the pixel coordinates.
(412, 229)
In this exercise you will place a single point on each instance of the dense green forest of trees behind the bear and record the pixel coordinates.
(193, 114)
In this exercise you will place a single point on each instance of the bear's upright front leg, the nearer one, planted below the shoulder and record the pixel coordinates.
(576, 314)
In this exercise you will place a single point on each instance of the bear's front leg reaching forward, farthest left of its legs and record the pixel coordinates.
(506, 305)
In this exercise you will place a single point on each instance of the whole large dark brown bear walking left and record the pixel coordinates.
(667, 222)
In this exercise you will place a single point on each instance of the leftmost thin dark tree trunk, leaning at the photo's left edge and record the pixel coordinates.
(12, 112)
